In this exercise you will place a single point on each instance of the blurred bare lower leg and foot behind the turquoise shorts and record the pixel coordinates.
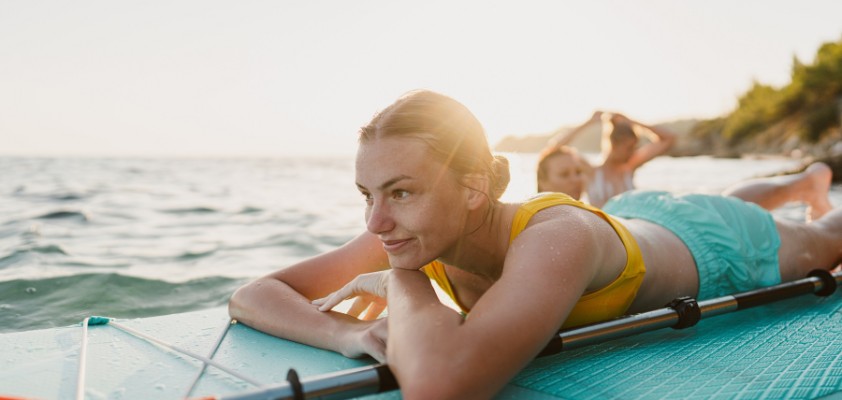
(810, 186)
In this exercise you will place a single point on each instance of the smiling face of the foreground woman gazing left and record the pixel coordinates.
(414, 204)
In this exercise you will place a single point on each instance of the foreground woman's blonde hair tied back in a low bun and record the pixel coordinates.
(453, 134)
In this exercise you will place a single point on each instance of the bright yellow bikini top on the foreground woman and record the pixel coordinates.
(606, 303)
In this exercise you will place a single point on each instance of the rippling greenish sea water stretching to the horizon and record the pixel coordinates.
(137, 237)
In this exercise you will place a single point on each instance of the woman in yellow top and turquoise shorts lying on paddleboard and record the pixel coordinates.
(521, 271)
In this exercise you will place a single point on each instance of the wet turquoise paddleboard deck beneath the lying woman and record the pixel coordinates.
(789, 349)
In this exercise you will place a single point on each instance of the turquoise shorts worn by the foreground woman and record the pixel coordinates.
(734, 243)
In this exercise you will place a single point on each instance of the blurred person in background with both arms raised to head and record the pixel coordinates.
(621, 155)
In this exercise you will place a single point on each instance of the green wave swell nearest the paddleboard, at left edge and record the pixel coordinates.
(52, 302)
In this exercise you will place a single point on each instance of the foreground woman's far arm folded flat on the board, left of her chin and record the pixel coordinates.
(280, 303)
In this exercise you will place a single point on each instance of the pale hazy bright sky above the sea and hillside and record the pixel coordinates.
(285, 78)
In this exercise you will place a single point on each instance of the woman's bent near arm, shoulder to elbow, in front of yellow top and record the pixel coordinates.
(436, 354)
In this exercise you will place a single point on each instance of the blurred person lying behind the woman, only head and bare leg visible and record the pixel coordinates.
(562, 169)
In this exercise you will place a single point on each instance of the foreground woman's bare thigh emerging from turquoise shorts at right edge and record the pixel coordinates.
(805, 247)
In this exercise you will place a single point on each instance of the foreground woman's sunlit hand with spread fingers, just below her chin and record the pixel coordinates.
(368, 291)
